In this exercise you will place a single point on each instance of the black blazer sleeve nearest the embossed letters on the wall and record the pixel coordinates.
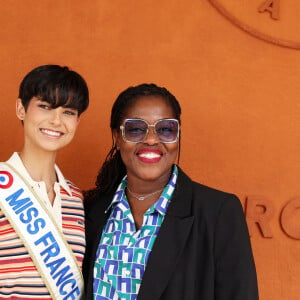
(235, 270)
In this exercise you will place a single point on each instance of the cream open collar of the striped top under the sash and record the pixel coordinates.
(17, 163)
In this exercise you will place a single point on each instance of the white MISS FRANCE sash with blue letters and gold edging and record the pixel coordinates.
(41, 236)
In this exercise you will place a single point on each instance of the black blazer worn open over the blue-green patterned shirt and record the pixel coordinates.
(202, 250)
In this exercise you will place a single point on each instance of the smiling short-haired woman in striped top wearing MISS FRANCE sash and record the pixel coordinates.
(42, 238)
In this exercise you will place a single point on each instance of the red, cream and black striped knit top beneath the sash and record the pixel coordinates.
(19, 278)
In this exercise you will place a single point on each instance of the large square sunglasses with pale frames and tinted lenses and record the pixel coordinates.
(136, 130)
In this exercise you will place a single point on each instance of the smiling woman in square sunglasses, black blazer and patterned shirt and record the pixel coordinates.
(152, 233)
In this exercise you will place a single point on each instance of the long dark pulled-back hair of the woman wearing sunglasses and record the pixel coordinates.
(113, 168)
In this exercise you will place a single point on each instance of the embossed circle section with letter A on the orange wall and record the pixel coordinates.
(261, 19)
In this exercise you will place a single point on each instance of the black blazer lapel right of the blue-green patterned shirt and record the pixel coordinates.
(170, 242)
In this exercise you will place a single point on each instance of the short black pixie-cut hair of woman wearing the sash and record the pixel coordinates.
(57, 85)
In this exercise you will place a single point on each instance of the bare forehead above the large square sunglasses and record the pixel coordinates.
(150, 108)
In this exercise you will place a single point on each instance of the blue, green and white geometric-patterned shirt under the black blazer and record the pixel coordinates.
(123, 252)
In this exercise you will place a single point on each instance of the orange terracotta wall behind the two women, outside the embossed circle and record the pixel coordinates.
(240, 99)
